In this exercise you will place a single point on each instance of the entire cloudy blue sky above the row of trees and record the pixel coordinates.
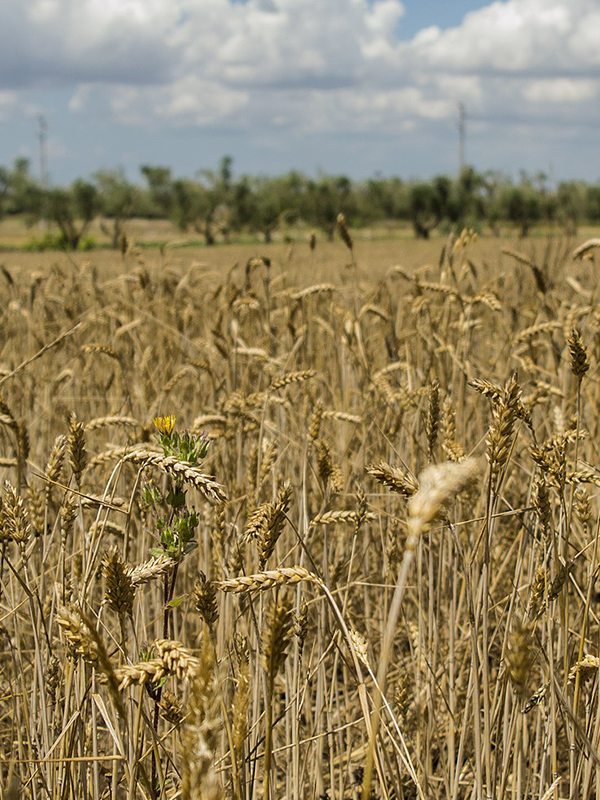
(354, 87)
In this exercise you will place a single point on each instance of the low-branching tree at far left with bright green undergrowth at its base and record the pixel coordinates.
(73, 210)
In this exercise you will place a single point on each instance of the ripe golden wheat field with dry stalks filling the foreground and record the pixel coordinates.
(321, 524)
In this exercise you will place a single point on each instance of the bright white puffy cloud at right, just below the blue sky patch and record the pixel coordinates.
(521, 62)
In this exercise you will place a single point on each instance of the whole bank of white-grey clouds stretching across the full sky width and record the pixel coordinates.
(304, 64)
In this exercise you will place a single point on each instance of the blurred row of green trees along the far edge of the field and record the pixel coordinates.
(216, 204)
